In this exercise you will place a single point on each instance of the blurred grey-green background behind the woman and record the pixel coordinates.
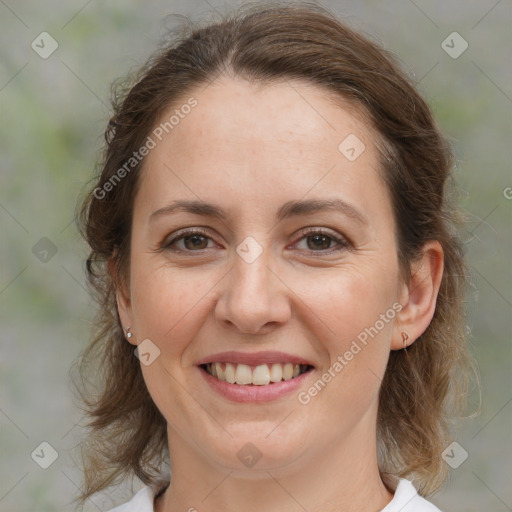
(53, 113)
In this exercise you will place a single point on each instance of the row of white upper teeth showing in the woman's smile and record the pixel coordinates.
(259, 375)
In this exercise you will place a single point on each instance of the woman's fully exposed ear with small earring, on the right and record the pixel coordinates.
(419, 296)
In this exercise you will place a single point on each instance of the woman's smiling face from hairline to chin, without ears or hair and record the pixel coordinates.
(275, 277)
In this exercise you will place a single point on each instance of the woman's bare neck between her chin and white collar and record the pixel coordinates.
(345, 477)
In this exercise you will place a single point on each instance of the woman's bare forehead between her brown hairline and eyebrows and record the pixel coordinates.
(245, 139)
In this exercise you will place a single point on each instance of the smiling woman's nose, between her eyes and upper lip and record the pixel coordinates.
(253, 298)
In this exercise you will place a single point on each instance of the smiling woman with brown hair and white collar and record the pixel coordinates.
(272, 237)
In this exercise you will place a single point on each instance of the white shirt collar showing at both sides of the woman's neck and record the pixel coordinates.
(406, 499)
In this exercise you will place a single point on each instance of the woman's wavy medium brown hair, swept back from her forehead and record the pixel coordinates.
(423, 386)
